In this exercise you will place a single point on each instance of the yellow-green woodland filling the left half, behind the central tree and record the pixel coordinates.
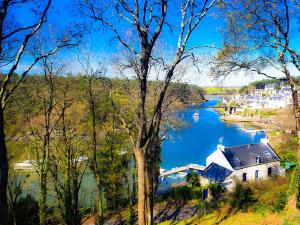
(69, 127)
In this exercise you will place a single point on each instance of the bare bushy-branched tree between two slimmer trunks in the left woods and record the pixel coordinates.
(70, 158)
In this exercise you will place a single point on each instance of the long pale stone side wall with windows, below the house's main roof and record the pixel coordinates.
(237, 175)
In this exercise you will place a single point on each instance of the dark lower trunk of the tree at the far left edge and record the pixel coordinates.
(3, 173)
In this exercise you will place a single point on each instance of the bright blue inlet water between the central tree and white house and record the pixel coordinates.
(195, 142)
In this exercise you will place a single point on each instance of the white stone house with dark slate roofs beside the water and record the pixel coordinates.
(229, 165)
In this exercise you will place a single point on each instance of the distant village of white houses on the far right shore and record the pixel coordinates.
(272, 96)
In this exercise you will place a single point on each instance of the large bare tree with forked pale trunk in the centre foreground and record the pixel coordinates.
(146, 21)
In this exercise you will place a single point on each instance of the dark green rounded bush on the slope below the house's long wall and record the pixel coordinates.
(242, 197)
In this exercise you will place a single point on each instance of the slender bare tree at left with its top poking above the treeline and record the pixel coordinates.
(42, 131)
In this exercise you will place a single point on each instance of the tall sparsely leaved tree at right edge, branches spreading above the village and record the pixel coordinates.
(258, 37)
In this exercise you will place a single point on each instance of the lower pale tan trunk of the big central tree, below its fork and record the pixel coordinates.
(140, 158)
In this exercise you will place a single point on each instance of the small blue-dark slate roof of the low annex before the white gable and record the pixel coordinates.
(216, 173)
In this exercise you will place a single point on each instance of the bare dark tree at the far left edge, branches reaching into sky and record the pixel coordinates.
(15, 42)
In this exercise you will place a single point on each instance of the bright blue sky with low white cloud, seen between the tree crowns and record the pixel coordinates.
(99, 42)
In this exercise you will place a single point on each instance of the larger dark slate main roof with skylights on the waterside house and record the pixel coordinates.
(245, 155)
